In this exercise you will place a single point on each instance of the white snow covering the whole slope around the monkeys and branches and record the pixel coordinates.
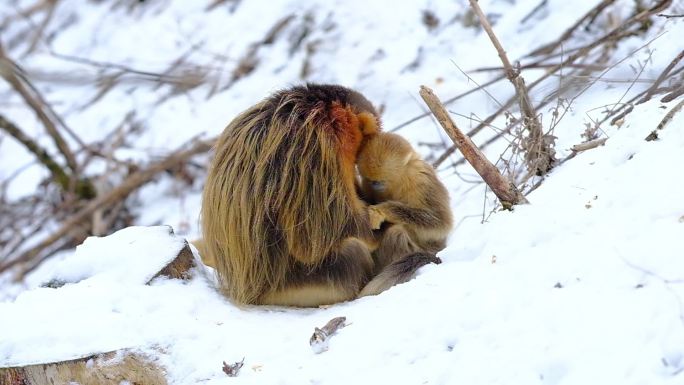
(585, 285)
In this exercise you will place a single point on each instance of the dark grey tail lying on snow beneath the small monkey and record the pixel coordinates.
(397, 272)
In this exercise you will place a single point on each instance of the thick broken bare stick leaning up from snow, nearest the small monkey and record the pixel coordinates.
(506, 191)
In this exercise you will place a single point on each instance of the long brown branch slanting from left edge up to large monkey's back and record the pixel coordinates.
(133, 182)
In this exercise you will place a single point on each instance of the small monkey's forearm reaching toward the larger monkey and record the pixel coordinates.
(398, 212)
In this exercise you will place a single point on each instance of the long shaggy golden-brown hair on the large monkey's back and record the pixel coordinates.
(277, 191)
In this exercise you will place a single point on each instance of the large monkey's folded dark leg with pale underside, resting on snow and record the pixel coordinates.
(339, 278)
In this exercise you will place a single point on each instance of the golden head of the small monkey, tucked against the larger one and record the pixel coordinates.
(384, 163)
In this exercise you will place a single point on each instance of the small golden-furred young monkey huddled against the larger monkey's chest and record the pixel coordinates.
(405, 193)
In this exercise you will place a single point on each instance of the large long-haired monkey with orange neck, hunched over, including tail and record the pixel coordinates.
(281, 218)
